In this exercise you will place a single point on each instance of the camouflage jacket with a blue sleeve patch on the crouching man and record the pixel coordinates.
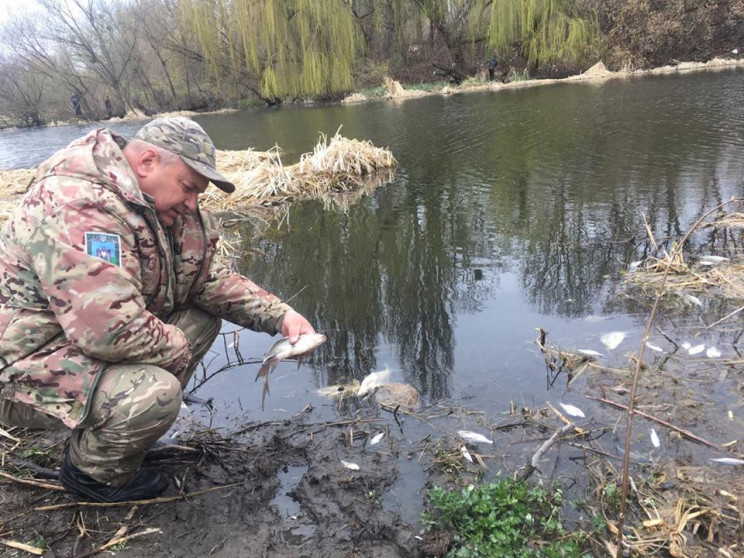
(89, 276)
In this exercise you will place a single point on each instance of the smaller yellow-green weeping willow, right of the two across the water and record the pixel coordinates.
(543, 31)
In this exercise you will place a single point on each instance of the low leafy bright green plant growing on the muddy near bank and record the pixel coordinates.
(502, 519)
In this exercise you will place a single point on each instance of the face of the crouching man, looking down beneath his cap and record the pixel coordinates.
(175, 187)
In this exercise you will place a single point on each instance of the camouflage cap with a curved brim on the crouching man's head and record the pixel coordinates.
(184, 137)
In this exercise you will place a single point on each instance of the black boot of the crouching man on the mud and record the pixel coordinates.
(144, 485)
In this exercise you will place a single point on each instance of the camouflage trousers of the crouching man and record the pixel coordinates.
(131, 407)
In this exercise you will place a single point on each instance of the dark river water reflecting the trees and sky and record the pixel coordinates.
(510, 210)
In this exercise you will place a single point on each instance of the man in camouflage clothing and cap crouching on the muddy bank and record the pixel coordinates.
(110, 296)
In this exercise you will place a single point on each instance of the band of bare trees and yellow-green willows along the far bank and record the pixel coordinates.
(153, 56)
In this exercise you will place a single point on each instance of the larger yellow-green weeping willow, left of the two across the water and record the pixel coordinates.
(286, 47)
